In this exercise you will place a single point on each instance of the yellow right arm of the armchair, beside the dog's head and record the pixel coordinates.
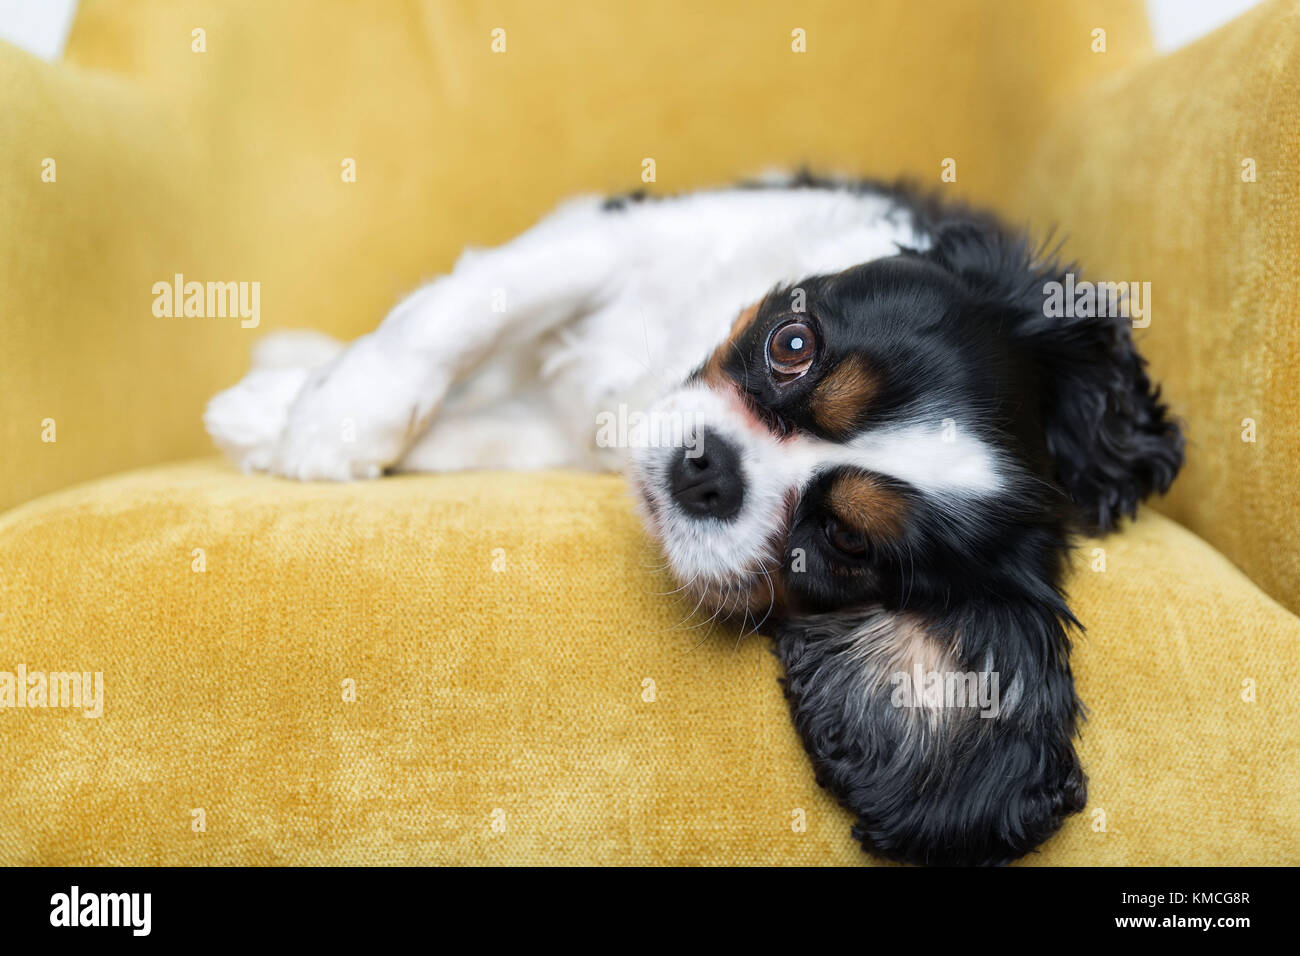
(1146, 174)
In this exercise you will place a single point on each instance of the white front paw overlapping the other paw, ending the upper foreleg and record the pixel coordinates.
(354, 418)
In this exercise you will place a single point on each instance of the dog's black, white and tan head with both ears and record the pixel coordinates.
(890, 461)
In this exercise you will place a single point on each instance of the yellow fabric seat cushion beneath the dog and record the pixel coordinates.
(517, 665)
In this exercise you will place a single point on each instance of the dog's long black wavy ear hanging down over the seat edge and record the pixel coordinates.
(952, 741)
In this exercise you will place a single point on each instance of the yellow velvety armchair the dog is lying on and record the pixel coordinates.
(486, 668)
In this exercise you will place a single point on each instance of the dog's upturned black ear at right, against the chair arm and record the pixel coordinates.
(1108, 434)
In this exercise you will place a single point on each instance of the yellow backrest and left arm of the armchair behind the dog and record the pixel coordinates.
(227, 166)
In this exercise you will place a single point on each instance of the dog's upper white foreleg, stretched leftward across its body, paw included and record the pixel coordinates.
(362, 413)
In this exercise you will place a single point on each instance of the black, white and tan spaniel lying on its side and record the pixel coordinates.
(883, 445)
